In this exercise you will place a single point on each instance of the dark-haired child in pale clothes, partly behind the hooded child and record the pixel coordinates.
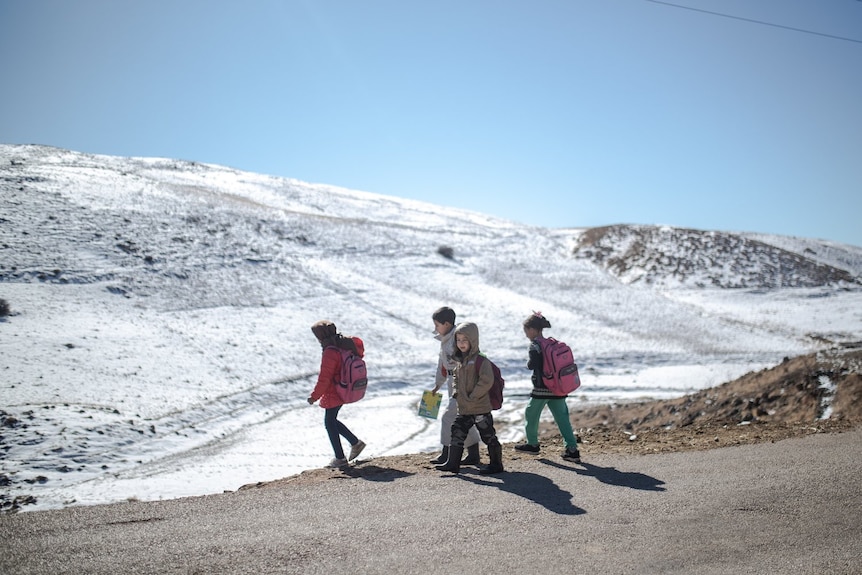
(444, 328)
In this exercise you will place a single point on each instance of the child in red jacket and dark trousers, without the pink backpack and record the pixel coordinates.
(330, 372)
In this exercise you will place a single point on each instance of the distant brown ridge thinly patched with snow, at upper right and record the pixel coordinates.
(665, 256)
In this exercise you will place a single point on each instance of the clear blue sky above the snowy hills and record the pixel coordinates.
(557, 113)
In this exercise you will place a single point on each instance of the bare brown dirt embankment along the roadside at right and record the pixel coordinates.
(808, 394)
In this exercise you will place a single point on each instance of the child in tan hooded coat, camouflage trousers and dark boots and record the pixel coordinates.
(471, 385)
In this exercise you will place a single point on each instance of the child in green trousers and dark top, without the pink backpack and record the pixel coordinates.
(542, 396)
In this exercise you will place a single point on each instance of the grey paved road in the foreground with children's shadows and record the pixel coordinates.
(790, 507)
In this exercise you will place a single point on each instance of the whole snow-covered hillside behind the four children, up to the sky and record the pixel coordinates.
(159, 340)
